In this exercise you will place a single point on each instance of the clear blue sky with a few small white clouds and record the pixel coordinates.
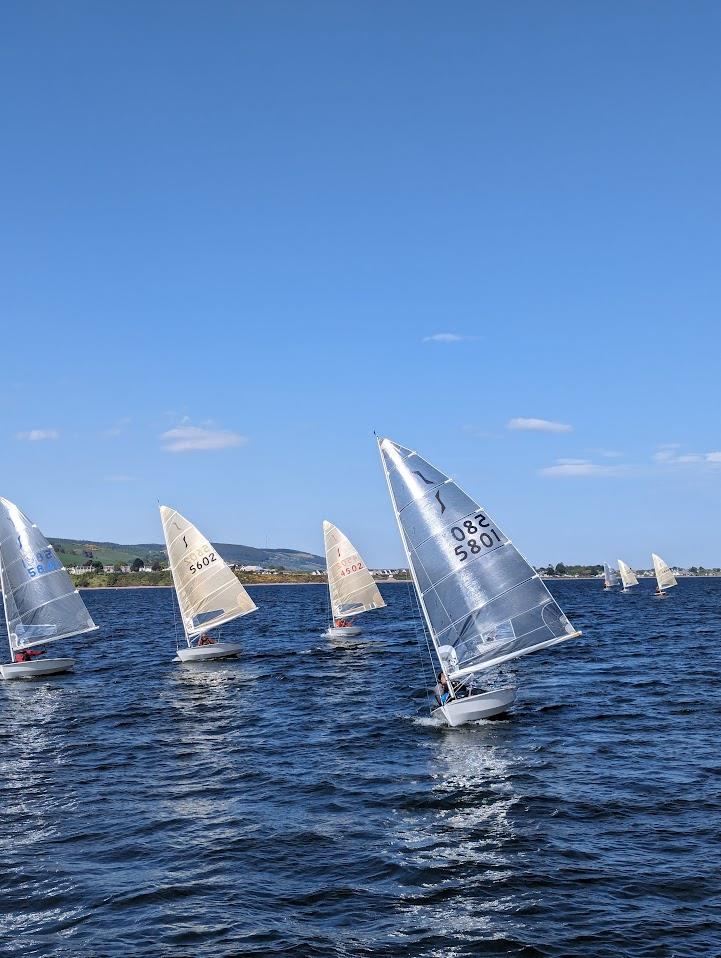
(236, 238)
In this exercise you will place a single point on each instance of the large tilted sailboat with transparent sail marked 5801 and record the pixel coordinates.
(483, 604)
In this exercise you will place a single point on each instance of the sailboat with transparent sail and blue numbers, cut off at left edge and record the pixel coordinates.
(40, 601)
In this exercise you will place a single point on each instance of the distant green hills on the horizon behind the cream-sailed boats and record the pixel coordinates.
(77, 551)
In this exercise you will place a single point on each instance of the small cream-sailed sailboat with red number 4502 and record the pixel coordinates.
(352, 588)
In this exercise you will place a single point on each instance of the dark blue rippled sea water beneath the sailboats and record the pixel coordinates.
(299, 801)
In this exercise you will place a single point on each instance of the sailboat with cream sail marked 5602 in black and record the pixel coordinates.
(209, 593)
